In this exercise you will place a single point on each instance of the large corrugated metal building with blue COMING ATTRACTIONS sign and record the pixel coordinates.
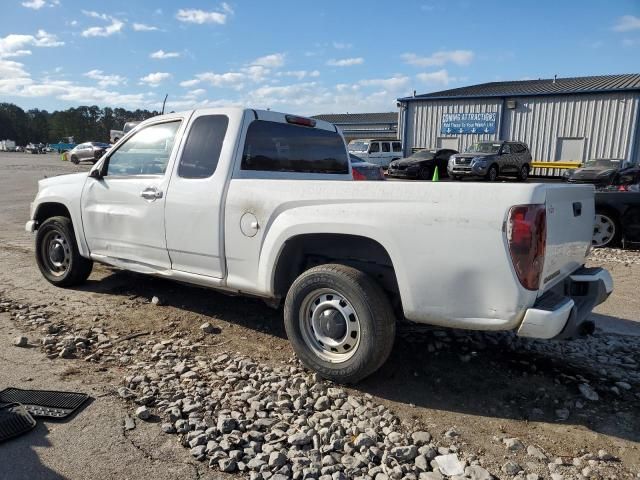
(561, 119)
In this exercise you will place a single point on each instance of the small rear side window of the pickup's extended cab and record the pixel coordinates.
(202, 149)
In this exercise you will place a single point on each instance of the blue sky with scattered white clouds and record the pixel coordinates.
(298, 56)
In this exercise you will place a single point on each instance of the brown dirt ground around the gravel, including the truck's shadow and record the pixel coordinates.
(487, 387)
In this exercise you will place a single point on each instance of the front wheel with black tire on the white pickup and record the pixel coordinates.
(74, 269)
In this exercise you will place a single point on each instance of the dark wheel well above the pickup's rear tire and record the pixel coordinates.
(303, 252)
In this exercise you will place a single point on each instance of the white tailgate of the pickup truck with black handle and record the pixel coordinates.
(570, 219)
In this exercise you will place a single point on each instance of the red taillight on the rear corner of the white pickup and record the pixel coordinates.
(527, 238)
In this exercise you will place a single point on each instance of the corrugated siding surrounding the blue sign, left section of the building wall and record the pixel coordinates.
(424, 120)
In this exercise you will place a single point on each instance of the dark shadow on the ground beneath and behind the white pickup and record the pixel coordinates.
(492, 374)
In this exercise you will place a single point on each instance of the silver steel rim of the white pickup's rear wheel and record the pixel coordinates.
(329, 325)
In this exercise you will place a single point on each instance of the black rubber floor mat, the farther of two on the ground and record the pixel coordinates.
(45, 403)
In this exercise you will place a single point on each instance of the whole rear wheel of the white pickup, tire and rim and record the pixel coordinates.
(339, 322)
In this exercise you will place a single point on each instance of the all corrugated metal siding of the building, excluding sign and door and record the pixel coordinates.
(605, 121)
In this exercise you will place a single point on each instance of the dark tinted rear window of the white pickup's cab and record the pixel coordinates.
(280, 147)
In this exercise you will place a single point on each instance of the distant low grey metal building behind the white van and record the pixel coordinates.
(364, 125)
